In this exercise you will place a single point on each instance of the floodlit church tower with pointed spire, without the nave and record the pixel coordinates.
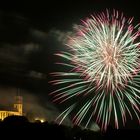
(18, 103)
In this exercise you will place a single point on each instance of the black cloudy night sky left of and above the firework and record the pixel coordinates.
(30, 34)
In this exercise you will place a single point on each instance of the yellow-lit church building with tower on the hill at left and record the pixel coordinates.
(17, 109)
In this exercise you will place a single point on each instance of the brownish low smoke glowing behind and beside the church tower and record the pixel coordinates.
(32, 104)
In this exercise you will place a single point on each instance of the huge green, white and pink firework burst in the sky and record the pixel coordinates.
(104, 62)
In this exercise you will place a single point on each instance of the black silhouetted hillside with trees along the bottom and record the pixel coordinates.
(20, 128)
